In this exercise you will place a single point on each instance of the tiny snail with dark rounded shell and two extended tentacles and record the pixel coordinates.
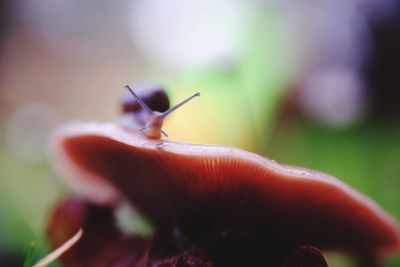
(151, 109)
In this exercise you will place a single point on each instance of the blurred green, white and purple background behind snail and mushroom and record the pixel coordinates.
(310, 83)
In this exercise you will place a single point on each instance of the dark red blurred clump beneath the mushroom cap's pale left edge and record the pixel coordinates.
(102, 242)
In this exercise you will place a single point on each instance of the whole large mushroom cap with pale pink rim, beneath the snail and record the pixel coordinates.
(196, 186)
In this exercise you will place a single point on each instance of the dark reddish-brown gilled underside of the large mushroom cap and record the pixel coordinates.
(230, 203)
